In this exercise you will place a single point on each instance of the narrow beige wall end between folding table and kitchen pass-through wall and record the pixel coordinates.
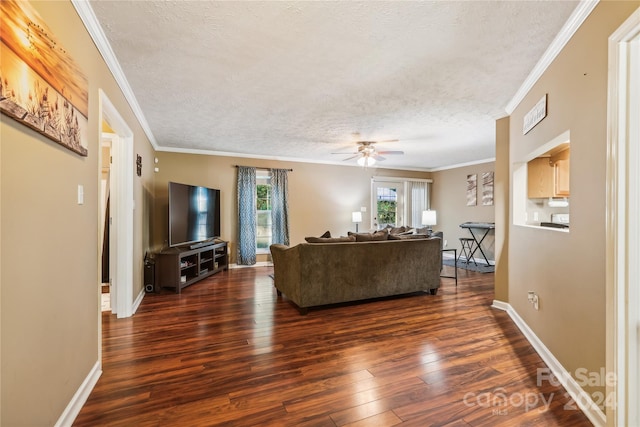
(501, 204)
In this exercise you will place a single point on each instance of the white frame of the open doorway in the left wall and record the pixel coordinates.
(121, 187)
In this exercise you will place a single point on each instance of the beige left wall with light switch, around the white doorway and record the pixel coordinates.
(49, 272)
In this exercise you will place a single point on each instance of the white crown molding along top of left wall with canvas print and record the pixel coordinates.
(88, 17)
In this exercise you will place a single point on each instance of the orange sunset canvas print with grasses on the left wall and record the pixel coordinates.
(40, 84)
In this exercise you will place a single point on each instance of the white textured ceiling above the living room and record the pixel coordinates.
(294, 80)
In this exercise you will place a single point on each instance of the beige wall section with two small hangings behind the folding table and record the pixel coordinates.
(449, 199)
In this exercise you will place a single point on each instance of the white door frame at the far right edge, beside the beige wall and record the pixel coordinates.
(622, 227)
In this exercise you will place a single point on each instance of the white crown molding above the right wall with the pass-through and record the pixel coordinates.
(577, 18)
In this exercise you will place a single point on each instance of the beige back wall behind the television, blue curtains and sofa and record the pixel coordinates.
(321, 197)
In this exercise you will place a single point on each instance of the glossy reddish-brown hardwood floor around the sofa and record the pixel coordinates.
(228, 351)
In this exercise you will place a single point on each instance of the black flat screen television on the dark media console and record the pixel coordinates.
(194, 214)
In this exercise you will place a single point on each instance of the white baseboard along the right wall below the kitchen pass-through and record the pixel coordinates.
(581, 398)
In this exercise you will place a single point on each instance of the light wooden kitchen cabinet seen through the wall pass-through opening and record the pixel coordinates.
(549, 176)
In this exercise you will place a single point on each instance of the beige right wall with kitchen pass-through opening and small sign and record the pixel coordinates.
(567, 270)
